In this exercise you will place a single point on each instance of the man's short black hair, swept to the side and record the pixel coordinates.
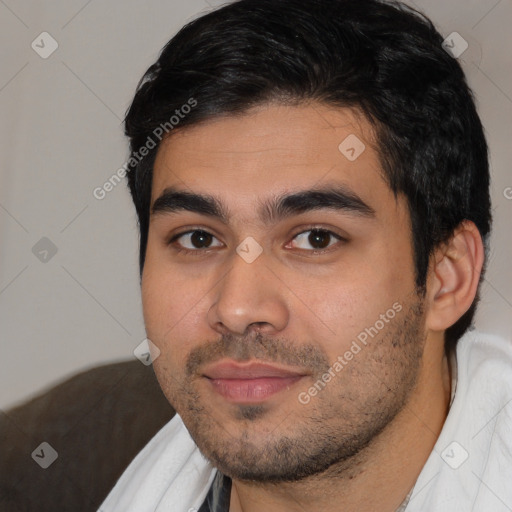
(381, 57)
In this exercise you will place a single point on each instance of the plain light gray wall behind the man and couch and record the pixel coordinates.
(61, 137)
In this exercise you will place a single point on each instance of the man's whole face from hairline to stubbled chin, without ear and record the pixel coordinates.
(279, 288)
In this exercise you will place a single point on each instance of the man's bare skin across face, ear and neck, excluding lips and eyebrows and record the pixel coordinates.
(375, 423)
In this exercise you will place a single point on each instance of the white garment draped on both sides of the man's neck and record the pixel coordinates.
(469, 469)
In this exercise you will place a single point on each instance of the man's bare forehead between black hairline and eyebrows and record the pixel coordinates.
(271, 150)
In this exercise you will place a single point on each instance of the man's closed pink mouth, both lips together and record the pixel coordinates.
(250, 383)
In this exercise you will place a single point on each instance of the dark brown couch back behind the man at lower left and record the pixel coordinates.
(97, 421)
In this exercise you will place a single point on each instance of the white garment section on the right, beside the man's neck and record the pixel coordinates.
(471, 464)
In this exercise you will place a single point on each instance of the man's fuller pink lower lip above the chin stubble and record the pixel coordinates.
(252, 390)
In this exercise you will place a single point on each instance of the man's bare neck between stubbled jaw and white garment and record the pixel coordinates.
(377, 478)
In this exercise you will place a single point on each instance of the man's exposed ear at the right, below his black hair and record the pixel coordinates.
(453, 277)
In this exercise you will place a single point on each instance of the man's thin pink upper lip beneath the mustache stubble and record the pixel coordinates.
(251, 370)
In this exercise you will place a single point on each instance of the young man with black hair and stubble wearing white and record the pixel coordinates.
(312, 186)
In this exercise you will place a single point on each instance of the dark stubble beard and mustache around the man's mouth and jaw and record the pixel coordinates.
(327, 436)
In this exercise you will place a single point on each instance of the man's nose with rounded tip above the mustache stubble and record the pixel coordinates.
(249, 296)
